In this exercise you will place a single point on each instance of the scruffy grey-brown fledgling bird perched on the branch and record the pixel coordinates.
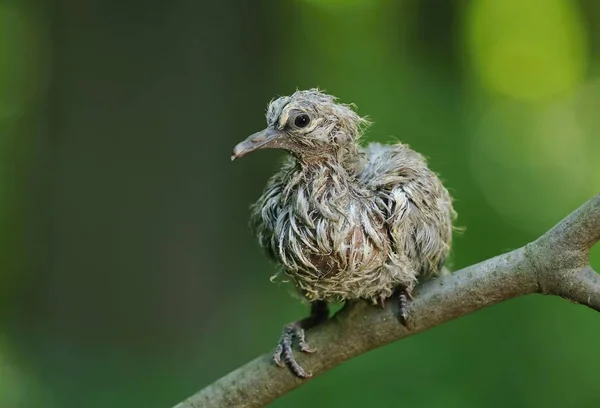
(343, 221)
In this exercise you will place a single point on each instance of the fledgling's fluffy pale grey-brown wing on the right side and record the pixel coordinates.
(416, 206)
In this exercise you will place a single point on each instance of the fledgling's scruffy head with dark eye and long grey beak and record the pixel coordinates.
(310, 125)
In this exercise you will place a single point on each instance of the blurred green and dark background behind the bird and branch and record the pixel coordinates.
(129, 276)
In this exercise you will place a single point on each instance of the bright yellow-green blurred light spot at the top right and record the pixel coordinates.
(527, 49)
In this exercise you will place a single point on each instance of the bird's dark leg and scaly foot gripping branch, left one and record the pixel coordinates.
(284, 356)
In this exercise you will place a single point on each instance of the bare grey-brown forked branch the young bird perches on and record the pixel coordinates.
(555, 264)
